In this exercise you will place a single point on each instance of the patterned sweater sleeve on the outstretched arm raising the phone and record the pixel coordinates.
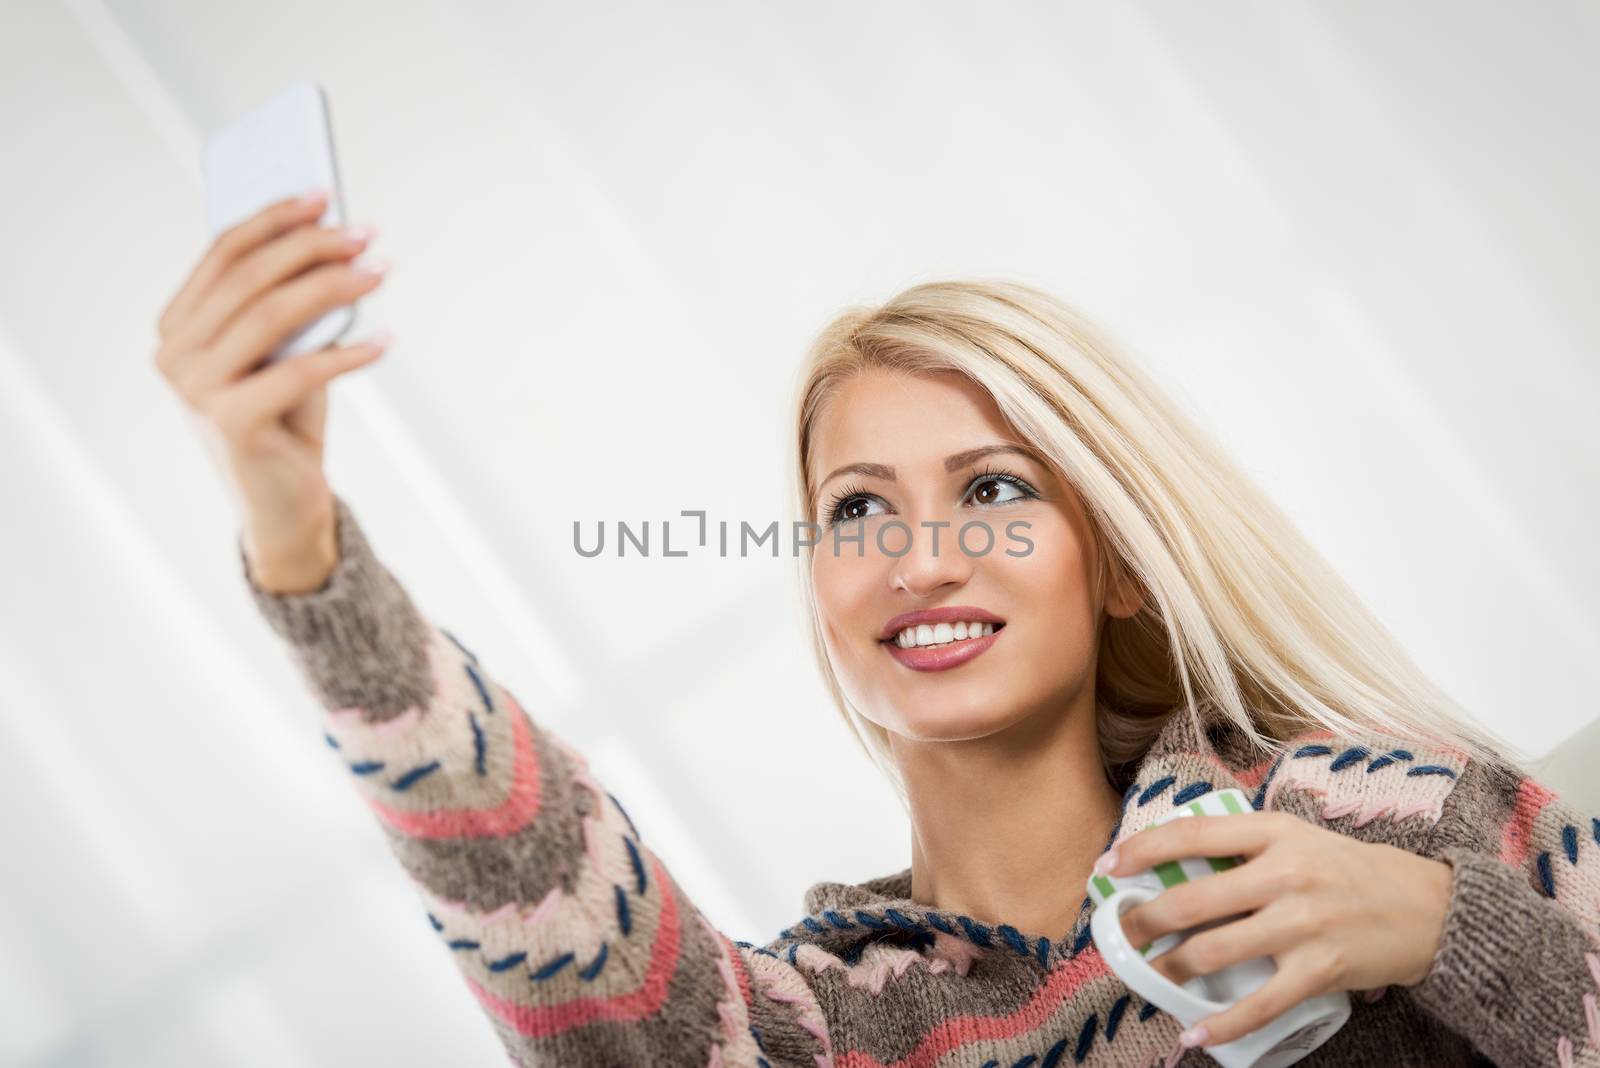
(569, 931)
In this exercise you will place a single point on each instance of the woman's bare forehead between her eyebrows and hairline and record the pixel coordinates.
(879, 415)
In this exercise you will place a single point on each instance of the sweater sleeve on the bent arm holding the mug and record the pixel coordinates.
(1519, 960)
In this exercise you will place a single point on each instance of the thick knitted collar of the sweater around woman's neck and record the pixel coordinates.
(1191, 755)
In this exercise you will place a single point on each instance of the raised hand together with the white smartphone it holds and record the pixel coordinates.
(274, 284)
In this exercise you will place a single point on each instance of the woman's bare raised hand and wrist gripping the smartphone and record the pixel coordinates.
(263, 423)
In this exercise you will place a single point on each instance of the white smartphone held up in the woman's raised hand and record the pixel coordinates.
(279, 149)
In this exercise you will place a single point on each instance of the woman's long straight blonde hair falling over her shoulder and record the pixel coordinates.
(1242, 616)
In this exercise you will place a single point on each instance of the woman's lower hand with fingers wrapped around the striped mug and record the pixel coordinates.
(1334, 912)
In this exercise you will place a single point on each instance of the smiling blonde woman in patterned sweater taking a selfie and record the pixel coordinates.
(1052, 612)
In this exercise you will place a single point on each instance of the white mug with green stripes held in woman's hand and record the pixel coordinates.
(1282, 1040)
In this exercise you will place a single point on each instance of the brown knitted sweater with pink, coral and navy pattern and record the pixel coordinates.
(583, 950)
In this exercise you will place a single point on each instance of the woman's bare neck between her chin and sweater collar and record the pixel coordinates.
(1006, 829)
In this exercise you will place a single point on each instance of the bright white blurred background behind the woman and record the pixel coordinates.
(1354, 239)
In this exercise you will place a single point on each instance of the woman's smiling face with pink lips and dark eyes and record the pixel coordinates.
(898, 463)
